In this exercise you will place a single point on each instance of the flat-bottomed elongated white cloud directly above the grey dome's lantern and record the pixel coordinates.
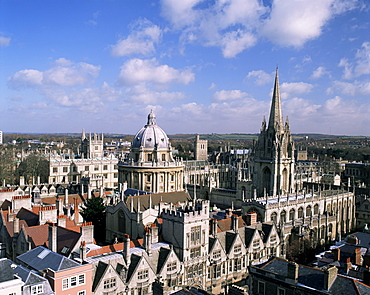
(137, 71)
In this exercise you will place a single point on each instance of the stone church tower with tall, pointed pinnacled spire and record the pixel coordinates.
(272, 158)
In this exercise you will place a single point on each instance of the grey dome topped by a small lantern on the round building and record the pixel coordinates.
(151, 136)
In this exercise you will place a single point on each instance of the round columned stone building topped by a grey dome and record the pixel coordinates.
(151, 166)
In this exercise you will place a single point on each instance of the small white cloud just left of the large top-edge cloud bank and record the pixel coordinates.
(142, 40)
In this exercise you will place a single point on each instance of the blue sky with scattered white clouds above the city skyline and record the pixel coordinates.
(201, 66)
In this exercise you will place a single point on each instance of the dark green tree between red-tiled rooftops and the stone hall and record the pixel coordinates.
(94, 211)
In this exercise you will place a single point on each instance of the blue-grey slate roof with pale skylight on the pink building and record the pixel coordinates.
(41, 258)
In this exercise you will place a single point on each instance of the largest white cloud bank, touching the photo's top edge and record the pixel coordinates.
(235, 25)
